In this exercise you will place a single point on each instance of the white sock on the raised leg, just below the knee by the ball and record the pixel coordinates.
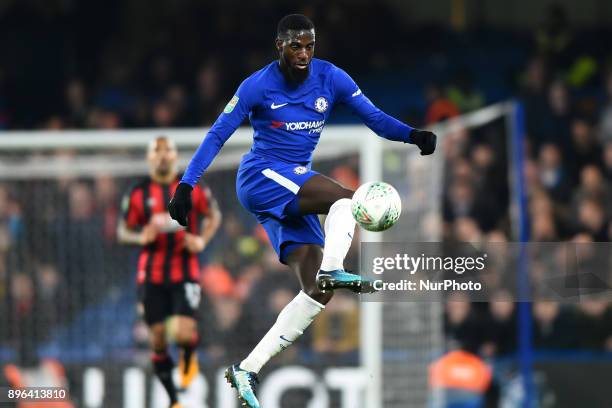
(339, 230)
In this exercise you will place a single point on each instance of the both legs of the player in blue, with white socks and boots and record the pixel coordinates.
(319, 194)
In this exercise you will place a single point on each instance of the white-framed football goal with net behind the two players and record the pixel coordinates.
(67, 288)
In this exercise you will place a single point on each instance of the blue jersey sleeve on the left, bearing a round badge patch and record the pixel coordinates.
(226, 124)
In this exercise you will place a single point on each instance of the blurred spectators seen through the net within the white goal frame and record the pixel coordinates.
(65, 281)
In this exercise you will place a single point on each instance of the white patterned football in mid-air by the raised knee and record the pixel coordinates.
(376, 206)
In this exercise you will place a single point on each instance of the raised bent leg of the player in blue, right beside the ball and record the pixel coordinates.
(322, 195)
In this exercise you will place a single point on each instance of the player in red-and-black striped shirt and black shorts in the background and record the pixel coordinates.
(168, 266)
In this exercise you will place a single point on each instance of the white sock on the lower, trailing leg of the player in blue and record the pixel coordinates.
(290, 324)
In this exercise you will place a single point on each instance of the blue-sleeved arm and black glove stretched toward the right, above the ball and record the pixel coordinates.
(384, 125)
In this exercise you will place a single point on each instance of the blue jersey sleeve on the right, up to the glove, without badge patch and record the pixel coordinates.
(348, 93)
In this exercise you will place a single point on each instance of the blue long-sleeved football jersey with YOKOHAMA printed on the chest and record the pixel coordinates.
(288, 118)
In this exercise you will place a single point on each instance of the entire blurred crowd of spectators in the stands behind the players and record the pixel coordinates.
(52, 264)
